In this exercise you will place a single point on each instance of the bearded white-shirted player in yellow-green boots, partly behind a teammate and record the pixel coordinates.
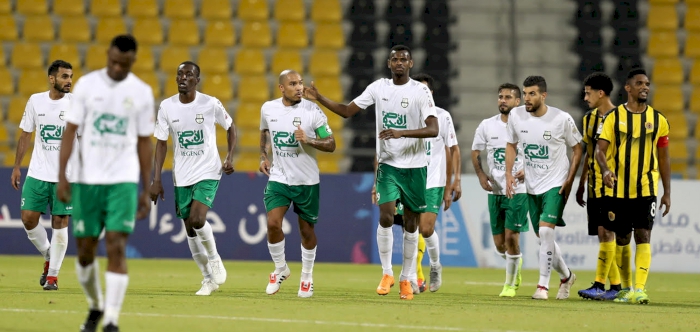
(508, 216)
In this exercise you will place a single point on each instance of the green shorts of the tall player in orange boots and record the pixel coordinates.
(406, 184)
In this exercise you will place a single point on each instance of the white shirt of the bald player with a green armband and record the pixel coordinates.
(293, 163)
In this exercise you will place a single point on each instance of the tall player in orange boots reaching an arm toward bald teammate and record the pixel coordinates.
(405, 117)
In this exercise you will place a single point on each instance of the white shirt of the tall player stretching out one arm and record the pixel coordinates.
(404, 107)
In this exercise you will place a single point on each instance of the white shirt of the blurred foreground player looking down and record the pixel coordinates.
(110, 116)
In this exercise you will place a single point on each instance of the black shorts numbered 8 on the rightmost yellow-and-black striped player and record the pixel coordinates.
(628, 214)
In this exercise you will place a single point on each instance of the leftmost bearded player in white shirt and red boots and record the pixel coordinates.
(45, 113)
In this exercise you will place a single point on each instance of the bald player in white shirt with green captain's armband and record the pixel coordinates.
(295, 128)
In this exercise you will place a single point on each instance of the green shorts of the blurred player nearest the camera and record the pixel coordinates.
(104, 206)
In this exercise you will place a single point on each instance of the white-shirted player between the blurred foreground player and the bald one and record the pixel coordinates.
(191, 117)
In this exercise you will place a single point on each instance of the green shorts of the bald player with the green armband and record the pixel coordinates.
(305, 199)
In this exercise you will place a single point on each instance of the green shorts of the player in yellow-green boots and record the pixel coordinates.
(510, 213)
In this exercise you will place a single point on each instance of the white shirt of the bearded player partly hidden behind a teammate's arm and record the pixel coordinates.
(492, 136)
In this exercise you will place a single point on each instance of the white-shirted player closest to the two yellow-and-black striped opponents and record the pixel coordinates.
(543, 133)
